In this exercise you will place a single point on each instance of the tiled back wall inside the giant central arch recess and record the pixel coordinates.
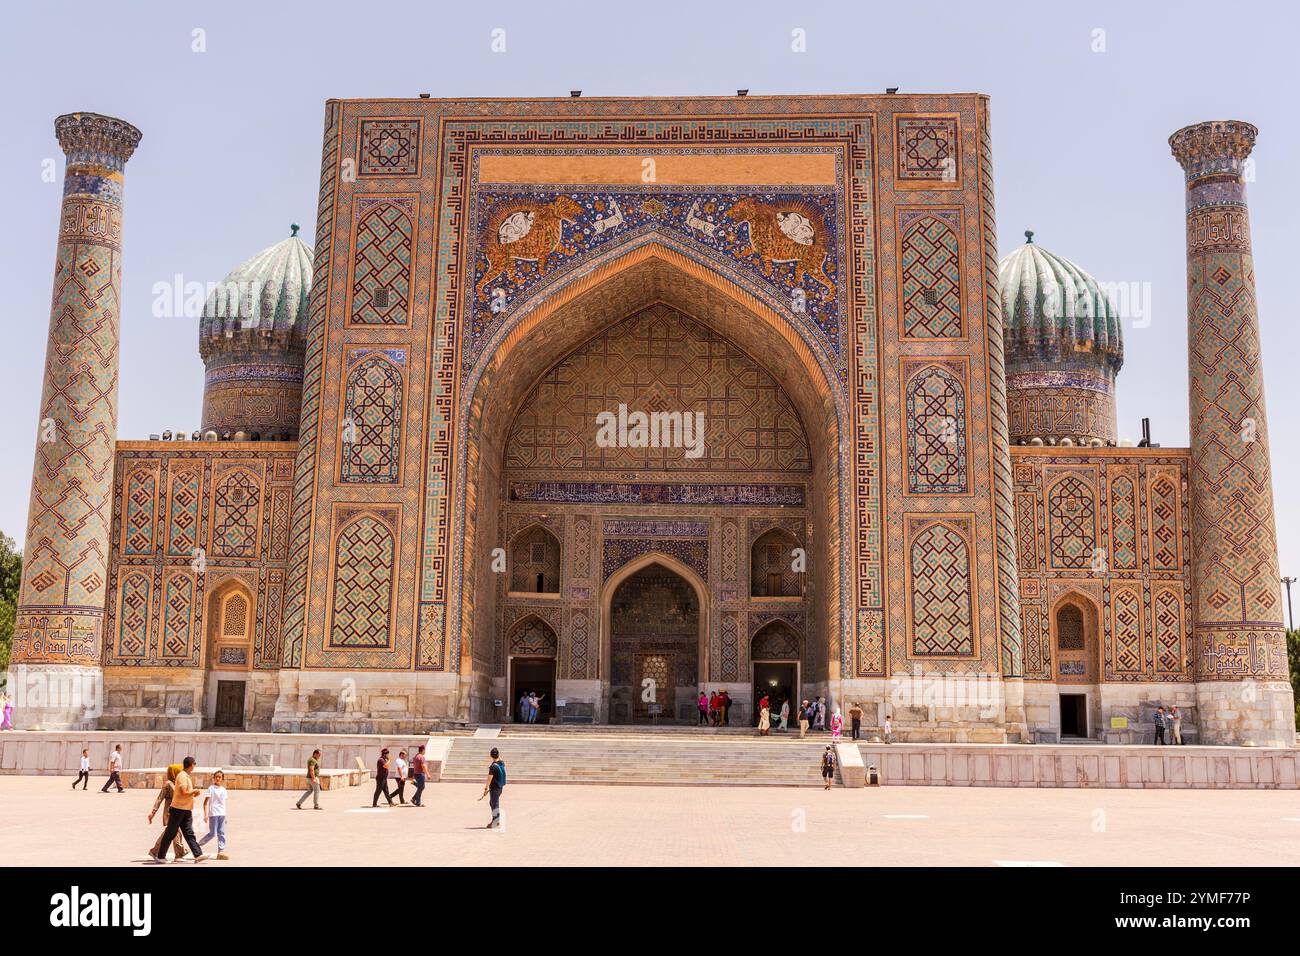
(657, 504)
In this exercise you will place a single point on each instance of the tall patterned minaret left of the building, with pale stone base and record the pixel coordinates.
(58, 639)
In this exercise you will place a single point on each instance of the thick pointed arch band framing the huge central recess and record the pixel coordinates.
(647, 276)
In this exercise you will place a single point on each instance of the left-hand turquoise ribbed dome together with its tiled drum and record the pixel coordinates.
(252, 339)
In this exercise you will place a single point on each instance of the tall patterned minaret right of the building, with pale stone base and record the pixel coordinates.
(1243, 694)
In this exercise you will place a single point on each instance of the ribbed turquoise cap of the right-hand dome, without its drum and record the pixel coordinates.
(1056, 313)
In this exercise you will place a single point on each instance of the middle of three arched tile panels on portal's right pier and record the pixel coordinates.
(937, 434)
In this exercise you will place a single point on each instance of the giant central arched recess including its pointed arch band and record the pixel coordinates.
(671, 336)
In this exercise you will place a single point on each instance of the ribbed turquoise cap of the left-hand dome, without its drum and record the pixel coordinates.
(265, 297)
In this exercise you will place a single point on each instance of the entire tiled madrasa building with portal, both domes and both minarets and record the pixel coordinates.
(619, 400)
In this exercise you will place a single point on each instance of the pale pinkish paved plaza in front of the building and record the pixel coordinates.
(45, 823)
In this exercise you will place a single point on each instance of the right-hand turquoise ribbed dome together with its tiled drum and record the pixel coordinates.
(1064, 348)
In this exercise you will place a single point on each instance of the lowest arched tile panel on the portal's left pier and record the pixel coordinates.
(363, 585)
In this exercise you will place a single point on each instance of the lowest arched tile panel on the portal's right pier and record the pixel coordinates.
(942, 592)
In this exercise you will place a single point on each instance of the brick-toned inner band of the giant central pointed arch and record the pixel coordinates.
(639, 276)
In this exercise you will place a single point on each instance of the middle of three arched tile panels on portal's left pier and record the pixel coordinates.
(374, 445)
